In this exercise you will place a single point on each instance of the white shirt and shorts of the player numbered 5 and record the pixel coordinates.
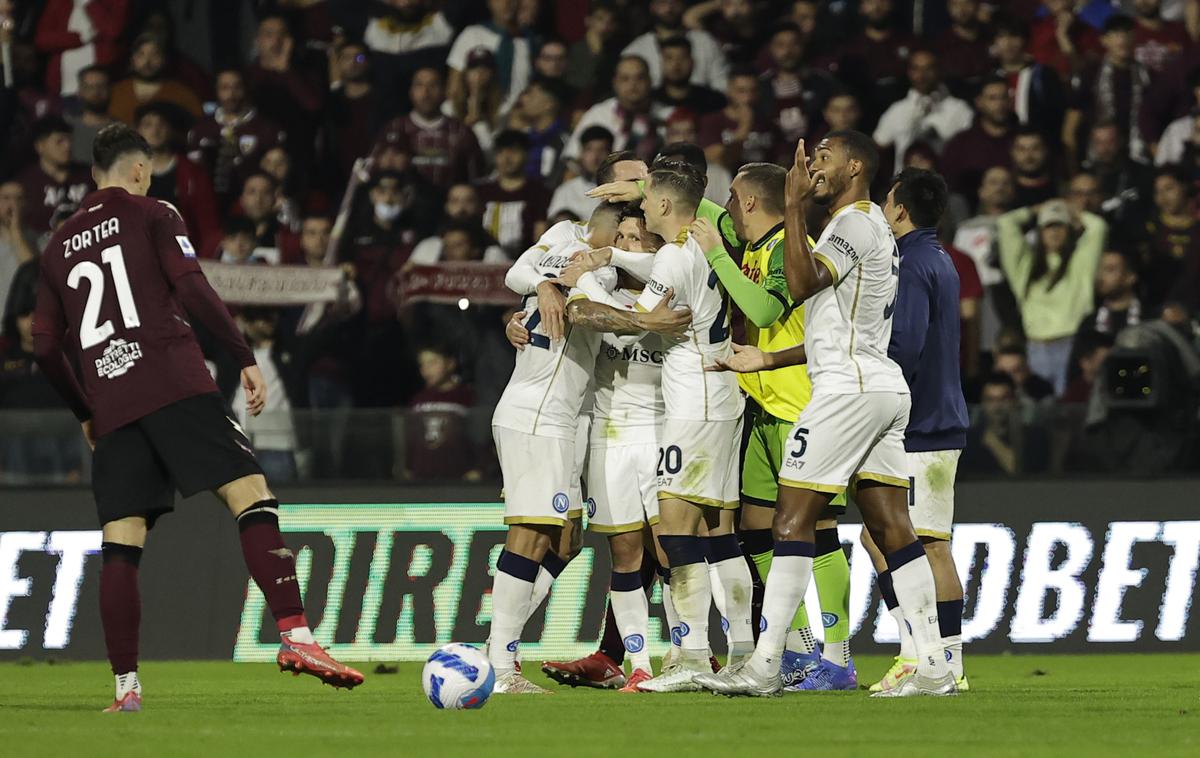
(854, 426)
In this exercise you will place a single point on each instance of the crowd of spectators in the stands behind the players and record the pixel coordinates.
(387, 137)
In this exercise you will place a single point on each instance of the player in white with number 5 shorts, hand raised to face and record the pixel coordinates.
(853, 431)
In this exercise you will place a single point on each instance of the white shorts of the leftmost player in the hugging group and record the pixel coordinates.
(538, 473)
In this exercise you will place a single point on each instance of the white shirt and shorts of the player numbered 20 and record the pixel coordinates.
(698, 456)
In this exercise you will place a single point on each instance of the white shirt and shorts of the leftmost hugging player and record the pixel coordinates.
(537, 420)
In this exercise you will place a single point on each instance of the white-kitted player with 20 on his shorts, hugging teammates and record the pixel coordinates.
(698, 458)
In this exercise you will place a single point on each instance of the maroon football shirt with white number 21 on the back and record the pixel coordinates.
(107, 280)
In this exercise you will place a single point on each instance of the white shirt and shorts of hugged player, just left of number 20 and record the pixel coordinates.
(627, 418)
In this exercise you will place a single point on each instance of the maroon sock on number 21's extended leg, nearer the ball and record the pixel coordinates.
(272, 564)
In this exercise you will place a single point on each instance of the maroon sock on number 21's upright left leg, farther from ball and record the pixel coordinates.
(121, 605)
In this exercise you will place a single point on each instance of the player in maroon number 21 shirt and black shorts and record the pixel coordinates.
(119, 279)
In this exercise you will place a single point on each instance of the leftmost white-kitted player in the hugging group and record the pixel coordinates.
(535, 429)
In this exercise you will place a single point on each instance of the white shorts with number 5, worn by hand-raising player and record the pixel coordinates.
(843, 438)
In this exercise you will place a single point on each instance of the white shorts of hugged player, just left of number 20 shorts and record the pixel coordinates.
(623, 488)
